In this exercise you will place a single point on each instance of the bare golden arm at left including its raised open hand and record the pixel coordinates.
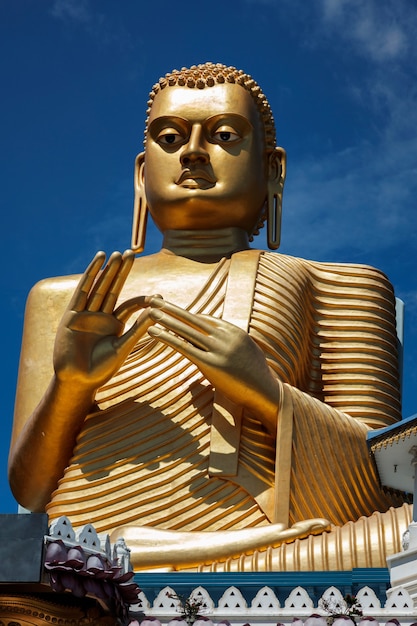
(88, 348)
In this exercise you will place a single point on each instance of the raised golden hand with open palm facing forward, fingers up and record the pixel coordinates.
(90, 345)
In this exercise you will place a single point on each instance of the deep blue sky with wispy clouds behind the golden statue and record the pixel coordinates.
(340, 76)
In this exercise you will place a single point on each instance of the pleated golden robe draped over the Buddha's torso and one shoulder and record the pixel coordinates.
(164, 449)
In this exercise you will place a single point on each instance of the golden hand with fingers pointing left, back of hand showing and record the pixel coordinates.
(225, 354)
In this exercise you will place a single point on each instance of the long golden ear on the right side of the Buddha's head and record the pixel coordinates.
(277, 161)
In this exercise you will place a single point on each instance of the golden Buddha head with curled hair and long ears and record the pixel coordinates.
(210, 160)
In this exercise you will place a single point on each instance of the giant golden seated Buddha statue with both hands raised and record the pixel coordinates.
(220, 424)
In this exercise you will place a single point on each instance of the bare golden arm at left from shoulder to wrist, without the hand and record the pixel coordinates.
(39, 445)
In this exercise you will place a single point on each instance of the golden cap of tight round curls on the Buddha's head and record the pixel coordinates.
(210, 74)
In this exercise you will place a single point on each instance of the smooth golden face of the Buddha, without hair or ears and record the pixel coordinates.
(205, 159)
